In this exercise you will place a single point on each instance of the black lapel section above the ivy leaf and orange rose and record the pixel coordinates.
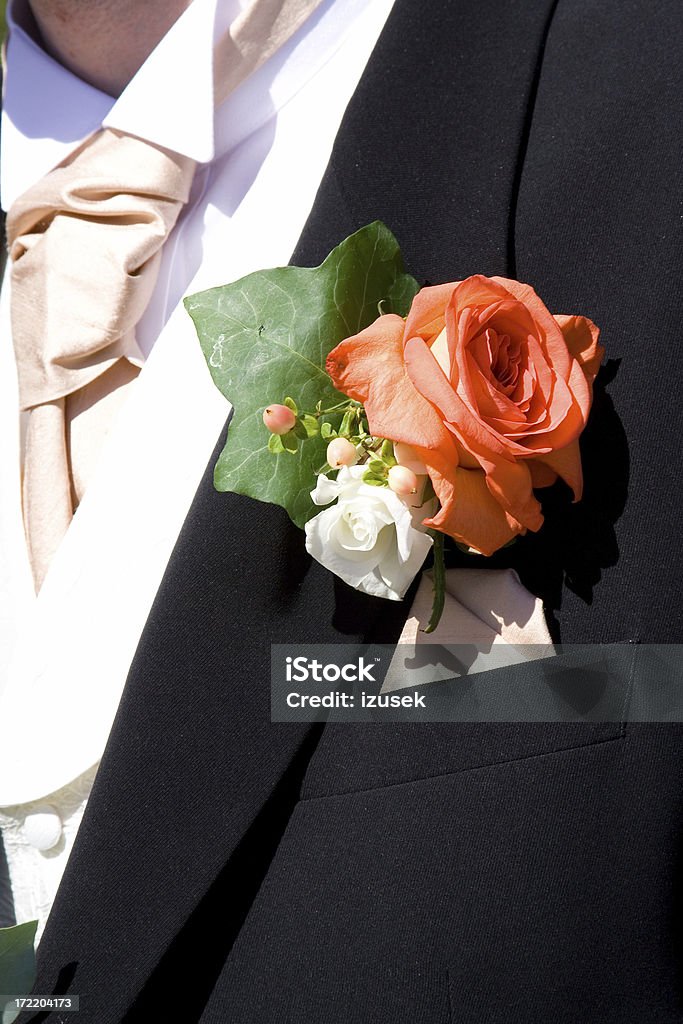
(434, 137)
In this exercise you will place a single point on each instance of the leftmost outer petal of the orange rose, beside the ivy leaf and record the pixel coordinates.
(370, 369)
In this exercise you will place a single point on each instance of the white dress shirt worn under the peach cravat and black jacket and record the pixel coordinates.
(65, 655)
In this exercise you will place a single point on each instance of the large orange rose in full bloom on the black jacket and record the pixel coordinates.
(491, 391)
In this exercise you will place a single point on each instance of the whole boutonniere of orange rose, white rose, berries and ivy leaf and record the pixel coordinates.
(387, 418)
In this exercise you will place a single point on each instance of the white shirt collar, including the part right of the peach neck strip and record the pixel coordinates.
(49, 112)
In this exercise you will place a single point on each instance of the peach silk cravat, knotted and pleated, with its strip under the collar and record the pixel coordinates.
(86, 244)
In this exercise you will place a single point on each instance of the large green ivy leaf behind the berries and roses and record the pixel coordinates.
(270, 334)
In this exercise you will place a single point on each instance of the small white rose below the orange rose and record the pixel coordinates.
(370, 538)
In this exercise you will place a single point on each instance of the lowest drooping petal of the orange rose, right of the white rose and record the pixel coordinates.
(471, 514)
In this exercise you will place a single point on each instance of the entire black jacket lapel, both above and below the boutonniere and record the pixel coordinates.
(196, 785)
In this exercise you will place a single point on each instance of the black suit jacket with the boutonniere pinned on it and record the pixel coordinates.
(230, 870)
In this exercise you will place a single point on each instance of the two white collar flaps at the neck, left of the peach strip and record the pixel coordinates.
(49, 111)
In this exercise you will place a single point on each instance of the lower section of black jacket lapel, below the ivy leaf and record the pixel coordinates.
(193, 758)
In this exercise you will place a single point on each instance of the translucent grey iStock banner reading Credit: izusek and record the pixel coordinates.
(475, 682)
